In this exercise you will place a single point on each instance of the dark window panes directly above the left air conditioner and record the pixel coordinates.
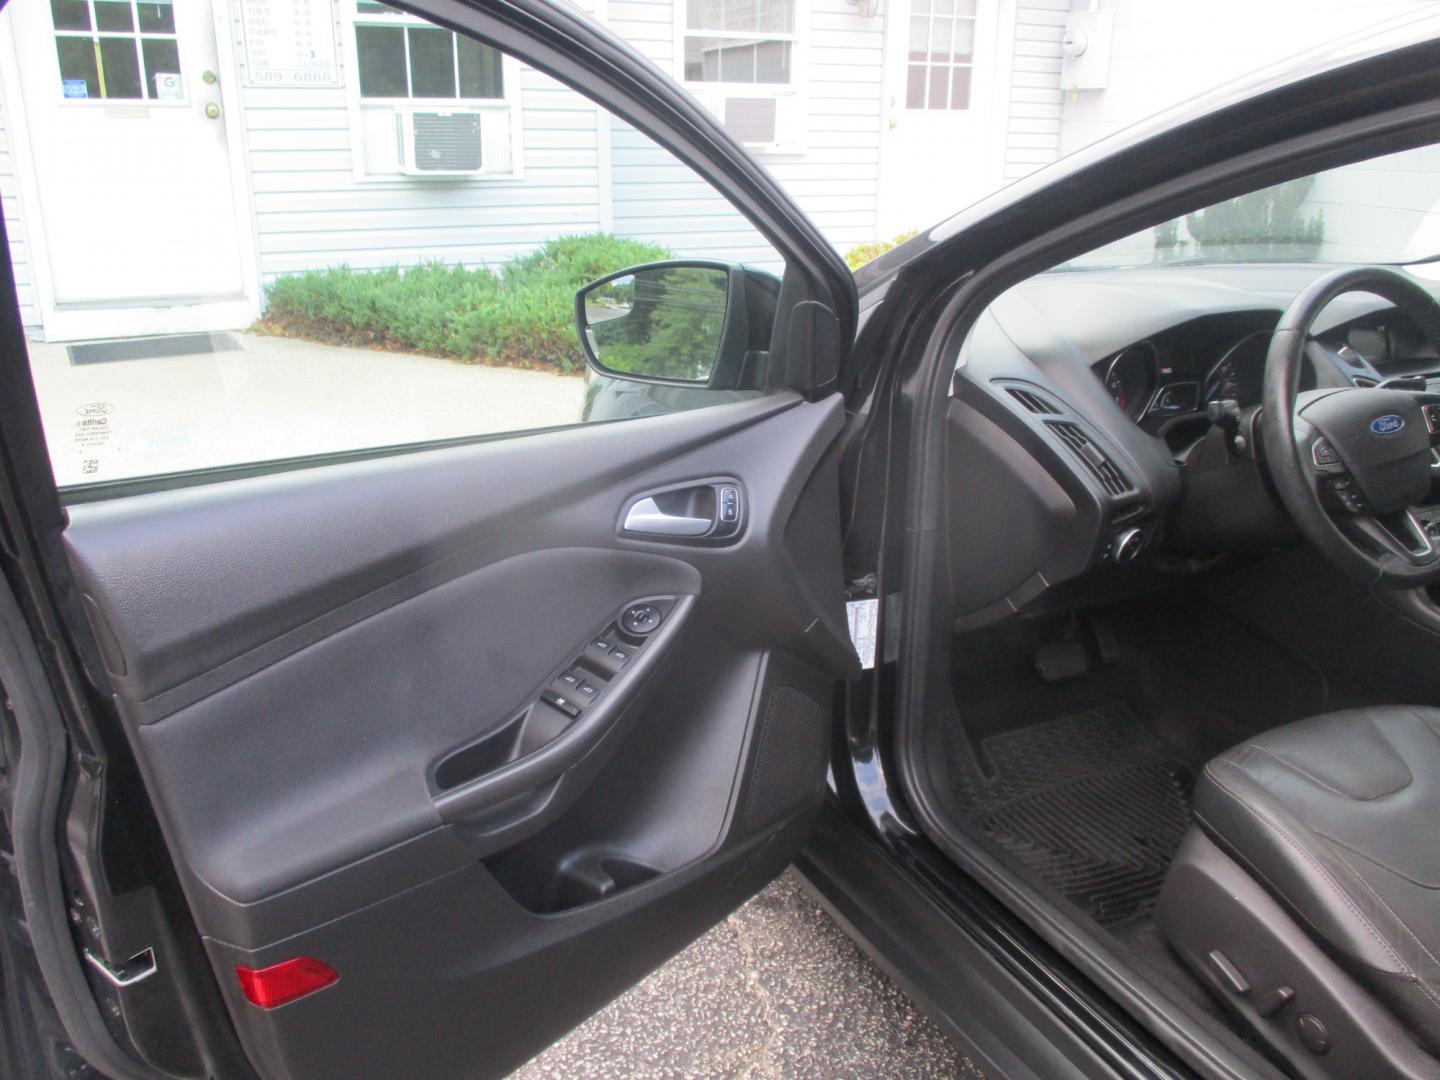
(401, 57)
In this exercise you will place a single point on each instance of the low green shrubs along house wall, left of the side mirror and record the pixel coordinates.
(522, 315)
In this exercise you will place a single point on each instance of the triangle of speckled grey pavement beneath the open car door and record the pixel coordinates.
(775, 991)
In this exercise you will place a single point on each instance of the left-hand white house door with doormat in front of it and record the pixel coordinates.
(129, 91)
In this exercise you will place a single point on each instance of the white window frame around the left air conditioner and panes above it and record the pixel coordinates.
(356, 106)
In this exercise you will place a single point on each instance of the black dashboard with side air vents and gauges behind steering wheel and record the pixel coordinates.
(1079, 431)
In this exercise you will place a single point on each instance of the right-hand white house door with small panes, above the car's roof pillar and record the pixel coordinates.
(938, 90)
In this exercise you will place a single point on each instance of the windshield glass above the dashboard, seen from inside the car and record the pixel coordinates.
(1386, 210)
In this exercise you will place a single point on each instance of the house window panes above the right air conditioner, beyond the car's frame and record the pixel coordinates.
(741, 41)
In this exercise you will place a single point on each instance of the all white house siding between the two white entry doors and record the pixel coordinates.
(313, 212)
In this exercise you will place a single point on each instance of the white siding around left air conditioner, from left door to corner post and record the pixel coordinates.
(312, 211)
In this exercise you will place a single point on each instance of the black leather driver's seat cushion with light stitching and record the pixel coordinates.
(1338, 817)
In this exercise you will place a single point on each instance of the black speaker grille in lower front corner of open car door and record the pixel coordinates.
(791, 758)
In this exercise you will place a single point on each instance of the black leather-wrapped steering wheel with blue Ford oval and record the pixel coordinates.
(1353, 464)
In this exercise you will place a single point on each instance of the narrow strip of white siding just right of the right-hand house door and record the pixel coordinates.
(1035, 114)
